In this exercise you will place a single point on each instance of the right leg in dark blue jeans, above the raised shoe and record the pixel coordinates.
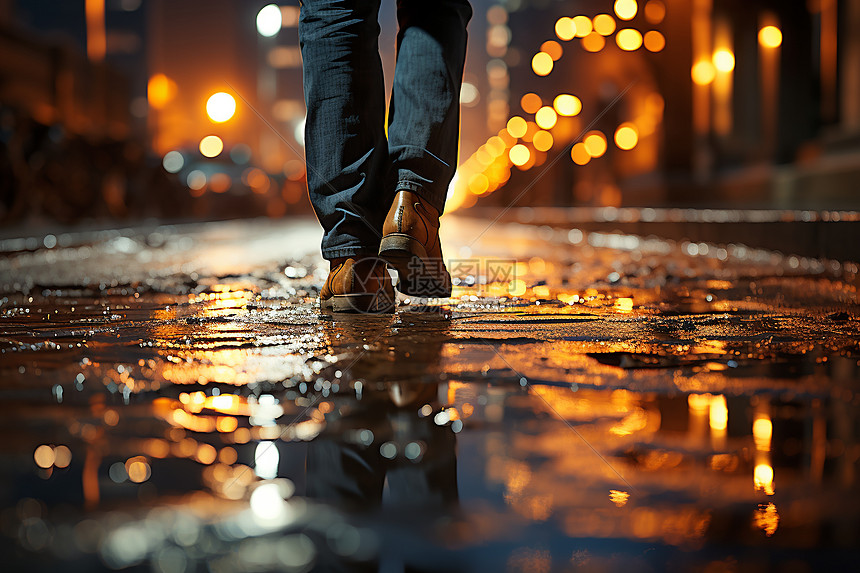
(424, 114)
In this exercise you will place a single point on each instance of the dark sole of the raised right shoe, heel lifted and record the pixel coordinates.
(407, 255)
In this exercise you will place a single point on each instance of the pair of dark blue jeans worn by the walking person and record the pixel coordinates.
(354, 170)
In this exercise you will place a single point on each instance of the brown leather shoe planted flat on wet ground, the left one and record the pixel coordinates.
(358, 285)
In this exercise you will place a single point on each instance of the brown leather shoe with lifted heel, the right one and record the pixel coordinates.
(410, 243)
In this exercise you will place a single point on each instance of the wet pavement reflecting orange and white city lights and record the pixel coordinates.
(173, 401)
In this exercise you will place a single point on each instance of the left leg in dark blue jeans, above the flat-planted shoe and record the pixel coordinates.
(345, 145)
